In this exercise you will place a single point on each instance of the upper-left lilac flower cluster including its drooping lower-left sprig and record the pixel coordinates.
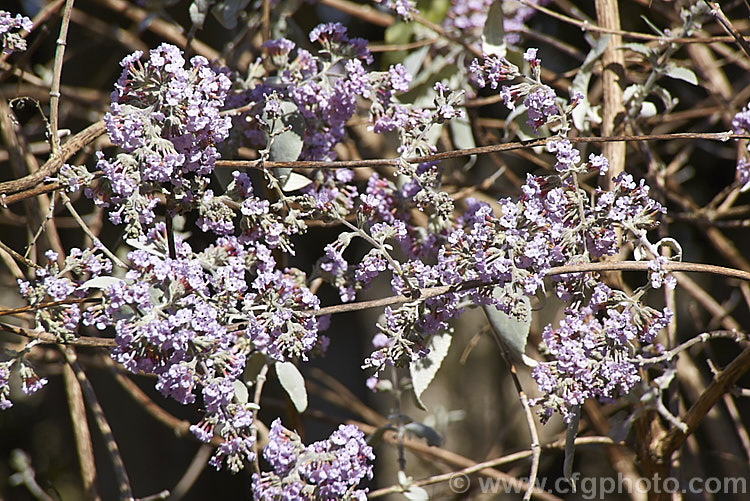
(166, 119)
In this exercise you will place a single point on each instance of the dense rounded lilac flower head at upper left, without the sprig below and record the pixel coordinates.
(167, 115)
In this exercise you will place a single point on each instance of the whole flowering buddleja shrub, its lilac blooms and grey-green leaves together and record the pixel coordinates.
(193, 315)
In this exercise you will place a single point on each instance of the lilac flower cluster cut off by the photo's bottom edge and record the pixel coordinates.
(329, 470)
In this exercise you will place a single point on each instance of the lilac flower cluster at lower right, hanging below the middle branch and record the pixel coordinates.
(591, 351)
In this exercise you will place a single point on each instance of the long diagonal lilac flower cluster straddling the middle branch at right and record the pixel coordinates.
(553, 223)
